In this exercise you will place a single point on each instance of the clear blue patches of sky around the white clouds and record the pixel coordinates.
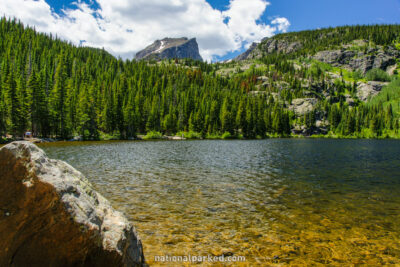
(308, 14)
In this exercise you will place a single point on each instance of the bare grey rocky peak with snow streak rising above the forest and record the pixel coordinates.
(170, 48)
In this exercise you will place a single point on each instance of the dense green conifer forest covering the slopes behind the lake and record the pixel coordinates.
(55, 89)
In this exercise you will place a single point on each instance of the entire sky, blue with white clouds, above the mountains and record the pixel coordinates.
(223, 28)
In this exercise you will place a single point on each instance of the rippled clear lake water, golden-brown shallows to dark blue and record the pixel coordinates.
(276, 202)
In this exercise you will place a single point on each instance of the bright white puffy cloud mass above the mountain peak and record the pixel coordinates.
(124, 27)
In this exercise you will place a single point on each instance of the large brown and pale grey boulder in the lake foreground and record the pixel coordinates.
(51, 216)
